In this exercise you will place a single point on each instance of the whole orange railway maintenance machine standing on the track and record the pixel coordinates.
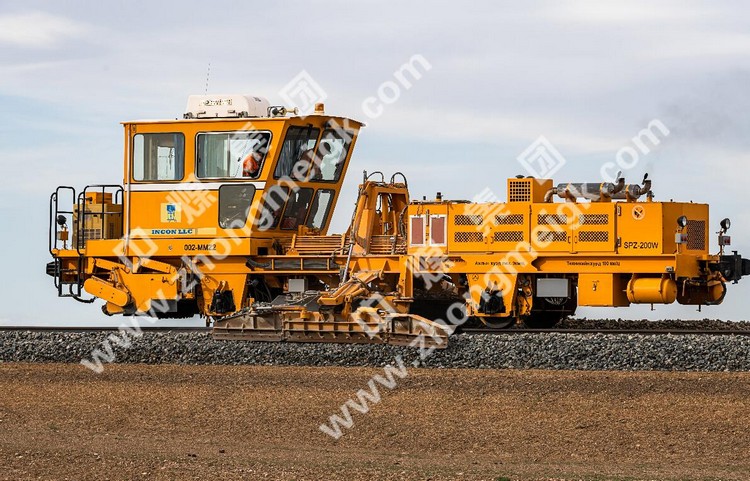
(224, 213)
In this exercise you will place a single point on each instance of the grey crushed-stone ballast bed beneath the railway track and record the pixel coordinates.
(502, 351)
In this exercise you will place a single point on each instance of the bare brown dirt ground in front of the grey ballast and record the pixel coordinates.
(141, 422)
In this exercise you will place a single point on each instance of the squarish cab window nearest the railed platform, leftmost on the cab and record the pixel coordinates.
(158, 157)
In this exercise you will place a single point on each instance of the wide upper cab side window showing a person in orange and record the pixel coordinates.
(232, 154)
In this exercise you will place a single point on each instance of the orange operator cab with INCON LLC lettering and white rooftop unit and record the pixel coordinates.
(234, 167)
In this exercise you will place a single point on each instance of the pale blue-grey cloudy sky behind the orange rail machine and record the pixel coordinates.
(585, 75)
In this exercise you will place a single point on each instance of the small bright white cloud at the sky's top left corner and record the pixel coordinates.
(37, 29)
